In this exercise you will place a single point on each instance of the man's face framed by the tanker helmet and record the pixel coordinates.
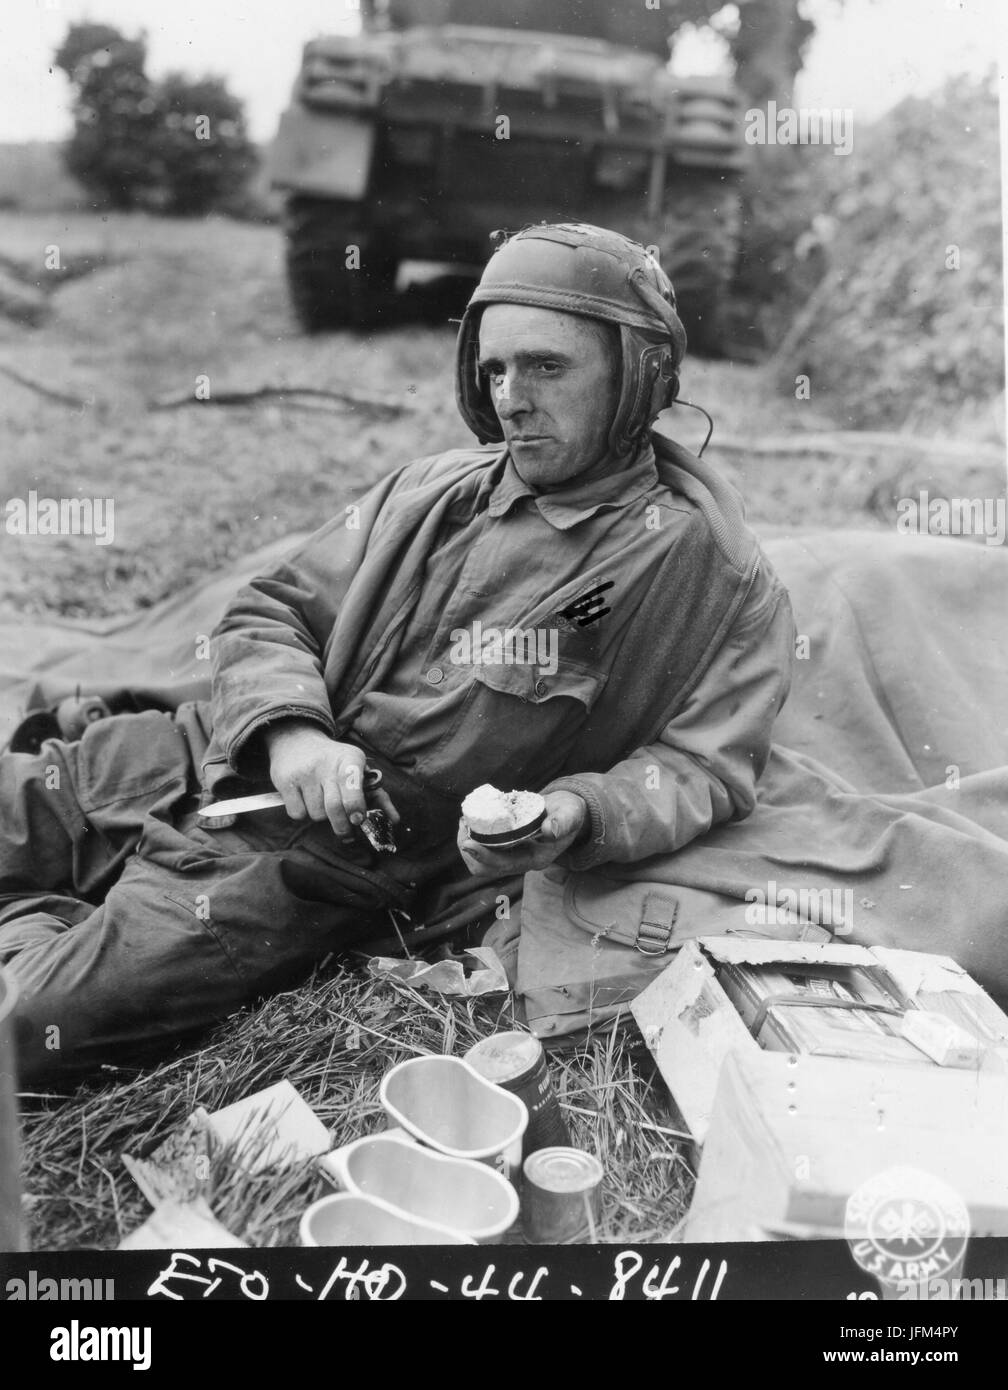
(555, 382)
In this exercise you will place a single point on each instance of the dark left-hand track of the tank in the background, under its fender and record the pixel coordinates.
(333, 286)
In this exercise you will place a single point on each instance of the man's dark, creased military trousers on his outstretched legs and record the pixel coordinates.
(129, 925)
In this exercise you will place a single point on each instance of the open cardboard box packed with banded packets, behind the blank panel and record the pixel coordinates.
(906, 1010)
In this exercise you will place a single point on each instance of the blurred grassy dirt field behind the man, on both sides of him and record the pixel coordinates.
(197, 486)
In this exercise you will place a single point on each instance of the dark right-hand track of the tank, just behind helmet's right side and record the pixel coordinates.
(699, 241)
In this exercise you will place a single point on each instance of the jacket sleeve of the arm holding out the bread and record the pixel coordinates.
(704, 767)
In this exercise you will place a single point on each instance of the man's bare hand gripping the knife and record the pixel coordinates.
(320, 778)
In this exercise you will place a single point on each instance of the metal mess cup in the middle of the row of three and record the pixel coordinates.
(458, 1193)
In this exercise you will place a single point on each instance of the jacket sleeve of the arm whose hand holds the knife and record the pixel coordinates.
(269, 650)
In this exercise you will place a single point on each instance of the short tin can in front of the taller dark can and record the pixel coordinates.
(561, 1197)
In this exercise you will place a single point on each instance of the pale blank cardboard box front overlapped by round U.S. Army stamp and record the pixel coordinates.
(797, 1145)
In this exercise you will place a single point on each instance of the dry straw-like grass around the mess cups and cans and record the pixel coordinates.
(334, 1040)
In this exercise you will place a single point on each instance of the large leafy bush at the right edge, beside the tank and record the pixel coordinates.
(852, 262)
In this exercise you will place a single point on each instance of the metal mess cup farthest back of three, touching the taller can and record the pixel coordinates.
(444, 1103)
